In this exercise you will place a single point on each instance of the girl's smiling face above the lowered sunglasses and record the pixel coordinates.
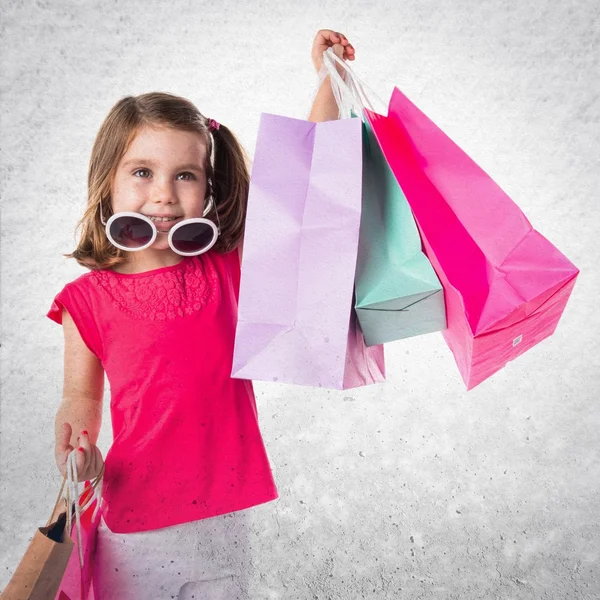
(162, 176)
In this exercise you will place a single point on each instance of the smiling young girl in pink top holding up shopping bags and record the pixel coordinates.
(162, 237)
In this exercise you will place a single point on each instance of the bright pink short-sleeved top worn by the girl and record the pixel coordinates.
(186, 440)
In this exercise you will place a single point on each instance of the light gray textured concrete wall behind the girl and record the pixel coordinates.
(412, 489)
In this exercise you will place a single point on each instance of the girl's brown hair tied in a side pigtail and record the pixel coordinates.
(229, 175)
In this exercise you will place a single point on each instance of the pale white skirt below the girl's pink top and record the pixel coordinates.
(208, 559)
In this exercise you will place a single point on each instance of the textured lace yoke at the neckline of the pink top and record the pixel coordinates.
(161, 294)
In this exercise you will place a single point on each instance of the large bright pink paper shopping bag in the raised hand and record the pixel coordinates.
(505, 285)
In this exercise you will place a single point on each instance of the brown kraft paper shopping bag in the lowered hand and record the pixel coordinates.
(40, 571)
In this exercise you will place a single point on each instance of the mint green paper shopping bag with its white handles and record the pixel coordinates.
(398, 294)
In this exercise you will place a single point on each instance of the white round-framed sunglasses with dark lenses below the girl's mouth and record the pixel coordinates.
(133, 231)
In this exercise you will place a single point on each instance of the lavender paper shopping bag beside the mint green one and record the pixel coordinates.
(296, 322)
